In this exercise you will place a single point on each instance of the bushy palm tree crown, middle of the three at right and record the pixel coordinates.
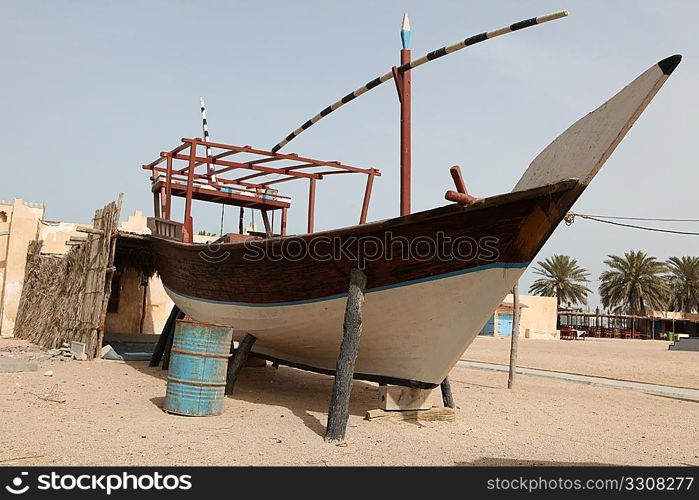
(634, 283)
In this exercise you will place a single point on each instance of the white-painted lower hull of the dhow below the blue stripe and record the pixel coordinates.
(411, 331)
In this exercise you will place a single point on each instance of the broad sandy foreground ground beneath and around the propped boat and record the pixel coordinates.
(112, 416)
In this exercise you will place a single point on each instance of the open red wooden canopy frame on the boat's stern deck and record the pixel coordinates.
(244, 183)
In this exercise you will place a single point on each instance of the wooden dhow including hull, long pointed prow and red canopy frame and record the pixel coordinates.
(432, 278)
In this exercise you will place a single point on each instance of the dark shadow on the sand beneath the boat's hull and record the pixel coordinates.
(306, 395)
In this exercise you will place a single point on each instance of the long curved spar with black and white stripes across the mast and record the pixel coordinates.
(435, 54)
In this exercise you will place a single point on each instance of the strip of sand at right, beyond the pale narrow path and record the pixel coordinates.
(636, 360)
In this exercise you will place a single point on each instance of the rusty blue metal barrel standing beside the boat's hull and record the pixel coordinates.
(198, 363)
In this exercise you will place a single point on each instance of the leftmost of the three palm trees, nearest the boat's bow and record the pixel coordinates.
(563, 279)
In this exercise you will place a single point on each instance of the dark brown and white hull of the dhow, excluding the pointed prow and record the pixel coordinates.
(433, 277)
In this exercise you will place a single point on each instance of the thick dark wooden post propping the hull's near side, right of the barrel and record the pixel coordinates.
(338, 413)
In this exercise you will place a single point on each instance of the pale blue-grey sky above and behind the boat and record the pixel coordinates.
(92, 90)
